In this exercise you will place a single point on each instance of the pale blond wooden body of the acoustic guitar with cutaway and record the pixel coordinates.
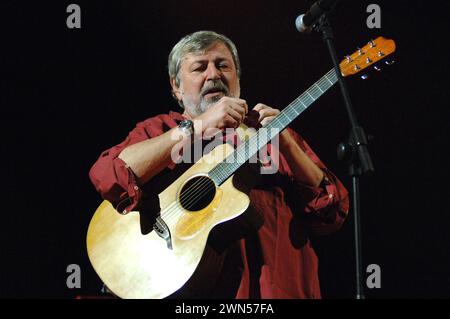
(136, 265)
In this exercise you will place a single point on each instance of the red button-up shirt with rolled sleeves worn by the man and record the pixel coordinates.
(276, 259)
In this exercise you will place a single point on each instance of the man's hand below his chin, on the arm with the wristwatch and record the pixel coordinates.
(228, 112)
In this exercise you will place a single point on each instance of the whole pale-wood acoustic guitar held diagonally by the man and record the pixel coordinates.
(157, 264)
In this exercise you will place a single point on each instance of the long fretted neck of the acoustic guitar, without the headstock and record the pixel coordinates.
(250, 148)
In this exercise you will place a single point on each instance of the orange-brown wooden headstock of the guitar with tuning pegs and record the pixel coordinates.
(374, 51)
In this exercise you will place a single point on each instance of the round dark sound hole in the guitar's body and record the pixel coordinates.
(197, 193)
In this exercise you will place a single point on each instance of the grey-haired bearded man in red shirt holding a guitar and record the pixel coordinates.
(270, 259)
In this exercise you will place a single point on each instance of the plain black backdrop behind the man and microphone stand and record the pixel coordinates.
(68, 94)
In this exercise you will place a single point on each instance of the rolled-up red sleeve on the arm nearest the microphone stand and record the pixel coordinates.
(325, 207)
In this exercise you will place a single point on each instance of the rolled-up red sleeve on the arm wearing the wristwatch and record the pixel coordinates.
(112, 177)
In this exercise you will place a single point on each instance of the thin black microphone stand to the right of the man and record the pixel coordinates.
(355, 150)
